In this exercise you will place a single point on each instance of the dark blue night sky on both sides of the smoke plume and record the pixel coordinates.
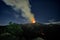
(43, 10)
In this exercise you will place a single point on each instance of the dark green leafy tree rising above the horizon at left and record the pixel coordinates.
(14, 29)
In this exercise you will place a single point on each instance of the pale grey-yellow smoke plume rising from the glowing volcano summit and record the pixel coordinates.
(22, 5)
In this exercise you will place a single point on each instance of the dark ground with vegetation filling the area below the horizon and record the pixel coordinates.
(29, 32)
